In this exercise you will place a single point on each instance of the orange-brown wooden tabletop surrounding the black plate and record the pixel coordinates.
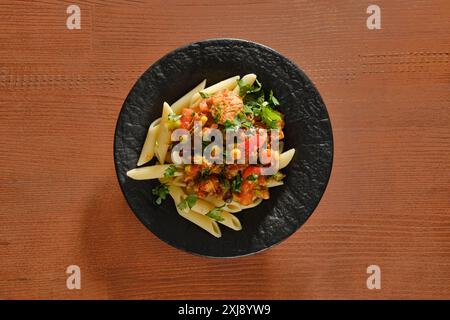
(387, 202)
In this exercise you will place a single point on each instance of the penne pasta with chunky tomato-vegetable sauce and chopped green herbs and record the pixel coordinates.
(218, 150)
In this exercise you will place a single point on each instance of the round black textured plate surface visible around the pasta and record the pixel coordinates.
(307, 129)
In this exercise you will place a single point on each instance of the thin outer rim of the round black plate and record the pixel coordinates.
(277, 54)
